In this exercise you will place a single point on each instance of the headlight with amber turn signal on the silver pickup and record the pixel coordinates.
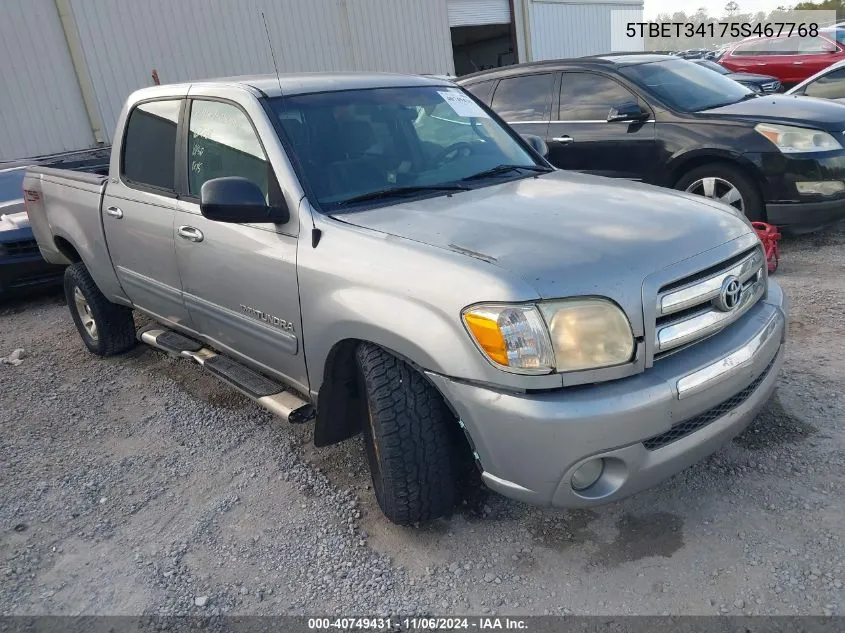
(566, 335)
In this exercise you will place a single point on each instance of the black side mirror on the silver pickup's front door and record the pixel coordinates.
(239, 201)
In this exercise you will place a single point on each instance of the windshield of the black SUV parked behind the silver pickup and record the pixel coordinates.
(686, 86)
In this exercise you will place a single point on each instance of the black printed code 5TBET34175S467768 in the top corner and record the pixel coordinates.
(721, 29)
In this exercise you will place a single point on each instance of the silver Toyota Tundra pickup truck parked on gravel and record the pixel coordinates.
(383, 254)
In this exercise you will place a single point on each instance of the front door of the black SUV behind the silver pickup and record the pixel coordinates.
(581, 138)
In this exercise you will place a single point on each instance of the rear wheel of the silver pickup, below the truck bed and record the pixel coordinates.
(106, 329)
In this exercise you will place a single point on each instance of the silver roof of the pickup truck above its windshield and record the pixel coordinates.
(301, 83)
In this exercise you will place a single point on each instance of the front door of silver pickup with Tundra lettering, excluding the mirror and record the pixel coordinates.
(239, 280)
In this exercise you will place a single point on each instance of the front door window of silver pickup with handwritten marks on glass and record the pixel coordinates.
(221, 142)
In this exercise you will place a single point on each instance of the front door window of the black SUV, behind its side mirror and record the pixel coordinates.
(589, 97)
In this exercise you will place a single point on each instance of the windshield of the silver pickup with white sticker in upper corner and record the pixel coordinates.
(354, 143)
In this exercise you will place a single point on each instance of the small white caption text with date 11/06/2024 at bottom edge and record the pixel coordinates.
(418, 624)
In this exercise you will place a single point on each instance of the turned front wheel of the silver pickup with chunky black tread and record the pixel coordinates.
(409, 439)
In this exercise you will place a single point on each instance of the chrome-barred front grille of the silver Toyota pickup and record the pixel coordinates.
(688, 310)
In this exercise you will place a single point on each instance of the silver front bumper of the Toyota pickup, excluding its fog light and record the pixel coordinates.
(529, 444)
